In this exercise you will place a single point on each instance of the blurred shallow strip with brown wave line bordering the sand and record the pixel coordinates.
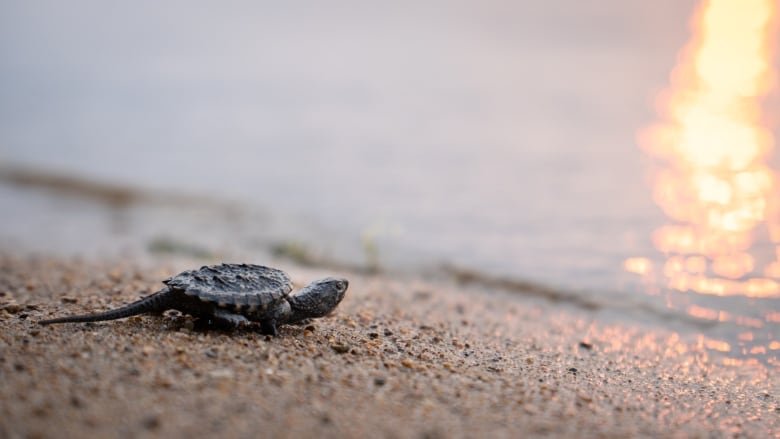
(76, 216)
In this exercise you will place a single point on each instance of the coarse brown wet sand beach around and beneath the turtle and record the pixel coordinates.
(399, 358)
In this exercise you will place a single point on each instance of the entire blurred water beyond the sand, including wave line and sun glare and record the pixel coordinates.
(497, 138)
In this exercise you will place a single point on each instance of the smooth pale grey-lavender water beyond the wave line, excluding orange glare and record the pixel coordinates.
(493, 135)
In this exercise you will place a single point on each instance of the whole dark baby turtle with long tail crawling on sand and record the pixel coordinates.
(230, 295)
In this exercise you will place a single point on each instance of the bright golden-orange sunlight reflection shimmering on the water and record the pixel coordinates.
(714, 182)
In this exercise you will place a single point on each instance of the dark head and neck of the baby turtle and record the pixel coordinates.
(317, 299)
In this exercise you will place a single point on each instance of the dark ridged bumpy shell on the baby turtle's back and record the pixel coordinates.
(240, 286)
